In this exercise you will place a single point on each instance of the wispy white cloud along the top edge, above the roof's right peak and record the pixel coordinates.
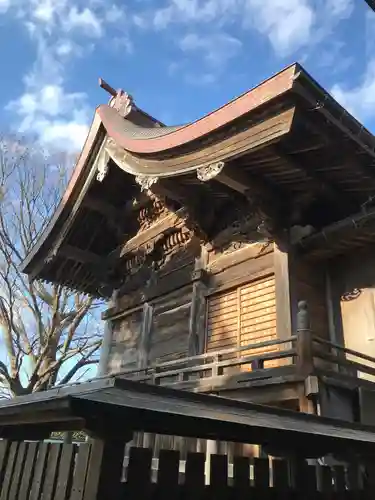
(288, 24)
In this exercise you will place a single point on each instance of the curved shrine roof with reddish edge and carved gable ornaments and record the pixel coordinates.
(266, 136)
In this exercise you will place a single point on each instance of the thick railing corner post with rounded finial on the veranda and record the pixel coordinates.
(304, 343)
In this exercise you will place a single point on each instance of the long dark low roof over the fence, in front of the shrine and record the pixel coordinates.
(117, 406)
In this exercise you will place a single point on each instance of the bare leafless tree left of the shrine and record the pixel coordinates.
(48, 335)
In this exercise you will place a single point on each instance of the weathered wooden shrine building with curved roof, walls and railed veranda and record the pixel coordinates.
(210, 239)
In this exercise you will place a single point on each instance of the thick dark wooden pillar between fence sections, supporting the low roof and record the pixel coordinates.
(105, 469)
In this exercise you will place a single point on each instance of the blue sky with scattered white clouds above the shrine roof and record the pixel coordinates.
(178, 58)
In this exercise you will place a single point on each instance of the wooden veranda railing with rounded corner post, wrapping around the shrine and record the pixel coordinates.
(304, 351)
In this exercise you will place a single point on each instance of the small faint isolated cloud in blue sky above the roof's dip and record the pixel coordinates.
(216, 48)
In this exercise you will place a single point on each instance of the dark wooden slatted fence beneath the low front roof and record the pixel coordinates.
(45, 471)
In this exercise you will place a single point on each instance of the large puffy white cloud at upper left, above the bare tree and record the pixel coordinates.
(61, 31)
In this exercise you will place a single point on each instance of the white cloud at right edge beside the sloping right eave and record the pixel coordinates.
(360, 99)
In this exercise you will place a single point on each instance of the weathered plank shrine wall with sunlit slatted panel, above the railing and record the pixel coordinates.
(203, 307)
